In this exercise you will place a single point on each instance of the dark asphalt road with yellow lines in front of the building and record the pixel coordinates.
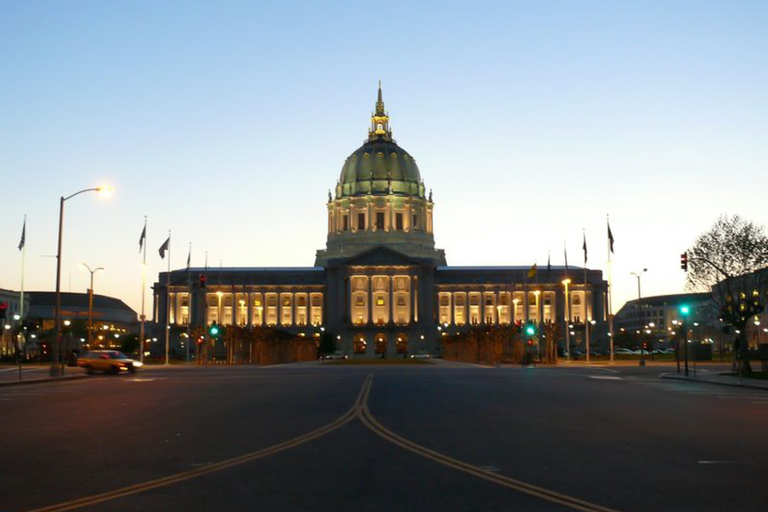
(321, 437)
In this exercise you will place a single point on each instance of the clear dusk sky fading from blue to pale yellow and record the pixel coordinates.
(227, 123)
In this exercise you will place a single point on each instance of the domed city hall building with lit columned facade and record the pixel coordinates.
(380, 286)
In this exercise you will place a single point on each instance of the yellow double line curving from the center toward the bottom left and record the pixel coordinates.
(211, 468)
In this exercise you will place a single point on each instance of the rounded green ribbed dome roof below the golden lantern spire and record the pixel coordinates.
(380, 167)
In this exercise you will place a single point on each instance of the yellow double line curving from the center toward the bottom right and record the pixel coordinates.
(364, 414)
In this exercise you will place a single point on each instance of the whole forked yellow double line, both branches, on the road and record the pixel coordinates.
(358, 410)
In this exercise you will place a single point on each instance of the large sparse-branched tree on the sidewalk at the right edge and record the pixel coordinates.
(728, 261)
